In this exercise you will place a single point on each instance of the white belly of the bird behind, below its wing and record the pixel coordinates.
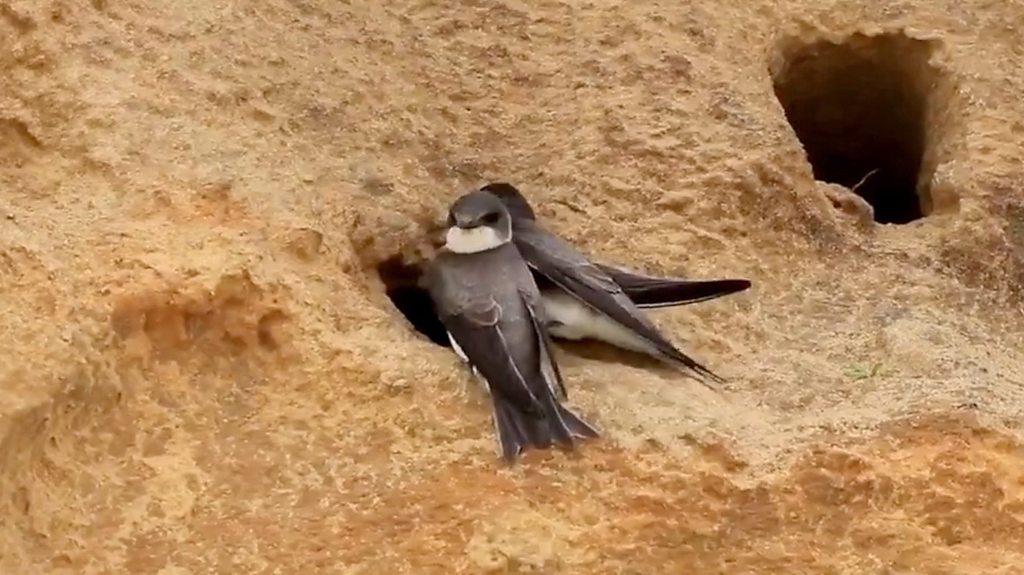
(571, 320)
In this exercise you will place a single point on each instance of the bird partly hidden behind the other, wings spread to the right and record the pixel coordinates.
(584, 300)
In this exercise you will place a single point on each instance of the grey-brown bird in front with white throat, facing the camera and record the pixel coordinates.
(492, 311)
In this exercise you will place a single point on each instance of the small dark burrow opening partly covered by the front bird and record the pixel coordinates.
(401, 284)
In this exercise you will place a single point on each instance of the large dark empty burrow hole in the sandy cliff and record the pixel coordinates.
(870, 113)
